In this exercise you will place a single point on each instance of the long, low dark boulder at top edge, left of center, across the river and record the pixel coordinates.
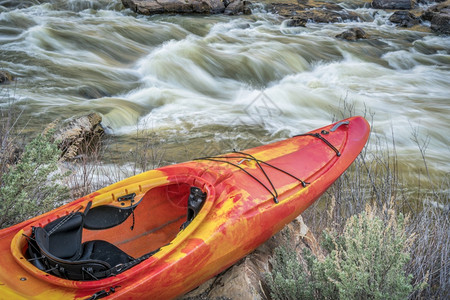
(150, 7)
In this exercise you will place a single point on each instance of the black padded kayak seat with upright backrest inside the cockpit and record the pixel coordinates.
(58, 250)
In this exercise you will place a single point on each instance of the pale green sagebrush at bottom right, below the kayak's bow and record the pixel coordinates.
(366, 261)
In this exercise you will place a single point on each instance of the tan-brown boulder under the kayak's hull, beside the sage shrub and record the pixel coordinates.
(245, 280)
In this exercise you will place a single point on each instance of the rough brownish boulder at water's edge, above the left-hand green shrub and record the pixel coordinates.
(78, 136)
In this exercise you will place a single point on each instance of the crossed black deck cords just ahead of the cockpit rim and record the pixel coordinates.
(259, 163)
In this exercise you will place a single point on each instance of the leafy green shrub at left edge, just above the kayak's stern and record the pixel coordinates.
(31, 187)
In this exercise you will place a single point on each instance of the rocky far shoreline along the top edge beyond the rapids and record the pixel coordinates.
(405, 13)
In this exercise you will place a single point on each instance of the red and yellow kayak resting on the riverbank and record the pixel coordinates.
(160, 234)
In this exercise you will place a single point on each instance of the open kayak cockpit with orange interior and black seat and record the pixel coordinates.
(113, 237)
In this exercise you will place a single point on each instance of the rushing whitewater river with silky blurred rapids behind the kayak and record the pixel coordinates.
(208, 84)
